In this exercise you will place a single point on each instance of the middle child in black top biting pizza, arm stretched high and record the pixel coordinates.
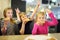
(25, 24)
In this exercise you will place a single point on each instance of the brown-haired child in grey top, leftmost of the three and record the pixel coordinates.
(8, 24)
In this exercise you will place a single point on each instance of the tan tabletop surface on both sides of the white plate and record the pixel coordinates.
(22, 37)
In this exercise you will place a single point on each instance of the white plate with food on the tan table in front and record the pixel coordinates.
(37, 37)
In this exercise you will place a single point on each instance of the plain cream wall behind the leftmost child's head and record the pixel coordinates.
(4, 4)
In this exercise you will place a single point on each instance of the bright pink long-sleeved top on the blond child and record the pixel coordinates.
(39, 29)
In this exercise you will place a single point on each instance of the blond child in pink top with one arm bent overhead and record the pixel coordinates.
(41, 25)
